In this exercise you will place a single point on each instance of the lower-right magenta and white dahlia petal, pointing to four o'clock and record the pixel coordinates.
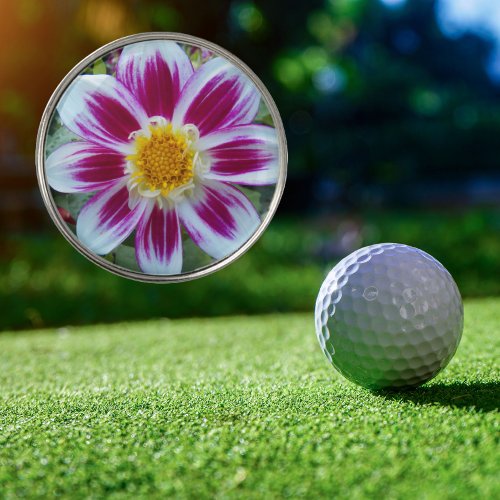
(218, 217)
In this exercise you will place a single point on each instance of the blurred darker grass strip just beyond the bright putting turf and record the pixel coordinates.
(45, 282)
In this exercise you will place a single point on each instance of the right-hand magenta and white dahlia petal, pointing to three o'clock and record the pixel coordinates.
(245, 154)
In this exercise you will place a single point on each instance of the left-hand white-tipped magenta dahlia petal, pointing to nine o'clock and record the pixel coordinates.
(79, 167)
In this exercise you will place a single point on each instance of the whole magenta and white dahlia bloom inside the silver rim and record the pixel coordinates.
(162, 146)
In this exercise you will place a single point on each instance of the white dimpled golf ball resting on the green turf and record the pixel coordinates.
(389, 316)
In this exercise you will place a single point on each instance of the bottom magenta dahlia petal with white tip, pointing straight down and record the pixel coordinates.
(158, 244)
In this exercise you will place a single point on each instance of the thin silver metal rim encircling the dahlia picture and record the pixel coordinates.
(47, 195)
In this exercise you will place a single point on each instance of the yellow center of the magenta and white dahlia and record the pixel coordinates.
(163, 160)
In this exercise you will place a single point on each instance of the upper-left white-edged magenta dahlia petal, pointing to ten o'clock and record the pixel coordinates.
(102, 110)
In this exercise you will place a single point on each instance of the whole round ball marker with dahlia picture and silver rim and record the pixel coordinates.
(161, 157)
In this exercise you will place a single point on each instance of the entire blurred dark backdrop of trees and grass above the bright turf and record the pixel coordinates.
(392, 113)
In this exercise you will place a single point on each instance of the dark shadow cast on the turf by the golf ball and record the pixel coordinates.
(482, 396)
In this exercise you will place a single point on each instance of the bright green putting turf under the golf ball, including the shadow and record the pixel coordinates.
(243, 406)
